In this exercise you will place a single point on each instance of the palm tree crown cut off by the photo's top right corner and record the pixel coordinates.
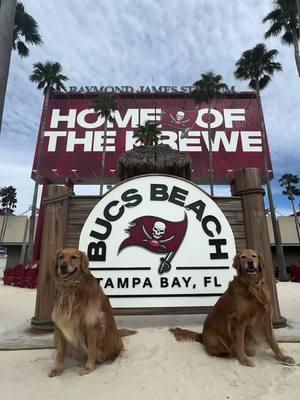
(284, 18)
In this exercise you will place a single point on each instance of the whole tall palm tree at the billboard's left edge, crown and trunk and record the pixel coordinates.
(49, 77)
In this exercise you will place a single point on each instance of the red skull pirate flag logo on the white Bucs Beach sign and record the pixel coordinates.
(157, 235)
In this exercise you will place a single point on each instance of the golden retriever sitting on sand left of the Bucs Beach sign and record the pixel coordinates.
(82, 314)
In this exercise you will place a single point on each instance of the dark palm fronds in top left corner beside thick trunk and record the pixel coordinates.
(26, 30)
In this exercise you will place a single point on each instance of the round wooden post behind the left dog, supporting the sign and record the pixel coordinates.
(54, 237)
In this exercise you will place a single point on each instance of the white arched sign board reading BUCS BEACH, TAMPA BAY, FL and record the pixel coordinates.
(159, 241)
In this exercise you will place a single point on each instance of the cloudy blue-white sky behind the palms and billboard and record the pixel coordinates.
(140, 42)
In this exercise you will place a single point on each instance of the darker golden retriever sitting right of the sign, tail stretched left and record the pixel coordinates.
(241, 318)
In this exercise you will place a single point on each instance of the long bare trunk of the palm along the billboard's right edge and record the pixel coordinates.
(279, 250)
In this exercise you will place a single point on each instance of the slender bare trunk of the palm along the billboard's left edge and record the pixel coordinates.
(37, 178)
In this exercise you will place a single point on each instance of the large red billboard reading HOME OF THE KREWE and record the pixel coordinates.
(73, 135)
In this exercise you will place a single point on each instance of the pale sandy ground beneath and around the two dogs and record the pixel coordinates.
(153, 366)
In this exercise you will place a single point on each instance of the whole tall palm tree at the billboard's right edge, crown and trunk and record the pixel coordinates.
(258, 65)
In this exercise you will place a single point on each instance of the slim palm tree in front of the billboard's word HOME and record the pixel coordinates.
(104, 106)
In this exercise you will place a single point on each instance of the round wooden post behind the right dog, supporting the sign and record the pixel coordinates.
(248, 186)
